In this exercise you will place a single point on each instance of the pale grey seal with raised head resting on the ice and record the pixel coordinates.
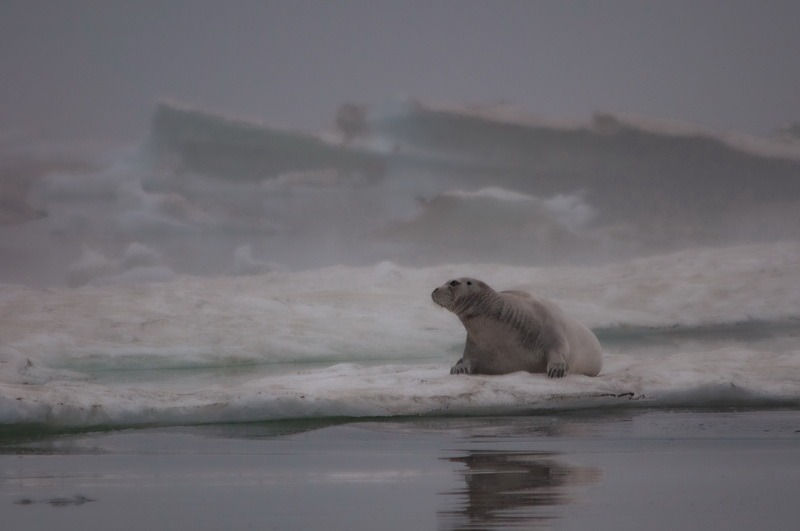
(511, 331)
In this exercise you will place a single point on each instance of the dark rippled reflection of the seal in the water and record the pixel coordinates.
(510, 489)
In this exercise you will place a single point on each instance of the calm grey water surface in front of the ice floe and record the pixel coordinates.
(625, 470)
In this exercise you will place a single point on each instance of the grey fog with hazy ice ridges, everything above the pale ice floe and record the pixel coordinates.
(144, 141)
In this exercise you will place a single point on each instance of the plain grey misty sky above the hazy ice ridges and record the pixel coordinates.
(89, 69)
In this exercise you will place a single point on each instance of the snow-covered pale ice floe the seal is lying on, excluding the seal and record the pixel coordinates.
(367, 341)
